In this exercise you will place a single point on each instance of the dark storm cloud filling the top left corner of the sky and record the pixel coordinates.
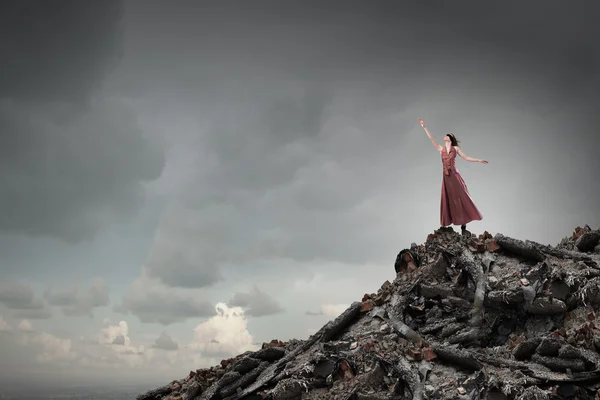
(57, 51)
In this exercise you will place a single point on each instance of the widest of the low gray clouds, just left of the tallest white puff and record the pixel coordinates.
(152, 302)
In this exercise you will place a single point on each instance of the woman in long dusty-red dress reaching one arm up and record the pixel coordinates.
(457, 207)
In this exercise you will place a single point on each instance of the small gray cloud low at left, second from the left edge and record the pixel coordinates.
(77, 303)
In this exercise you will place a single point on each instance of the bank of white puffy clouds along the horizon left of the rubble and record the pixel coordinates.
(115, 351)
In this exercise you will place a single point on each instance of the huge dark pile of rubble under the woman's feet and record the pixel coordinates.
(466, 318)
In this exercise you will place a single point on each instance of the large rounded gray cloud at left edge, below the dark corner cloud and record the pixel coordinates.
(69, 179)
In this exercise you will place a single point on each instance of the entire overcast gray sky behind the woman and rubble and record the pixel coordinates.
(183, 180)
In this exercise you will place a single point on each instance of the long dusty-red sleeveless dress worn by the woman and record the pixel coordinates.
(457, 207)
